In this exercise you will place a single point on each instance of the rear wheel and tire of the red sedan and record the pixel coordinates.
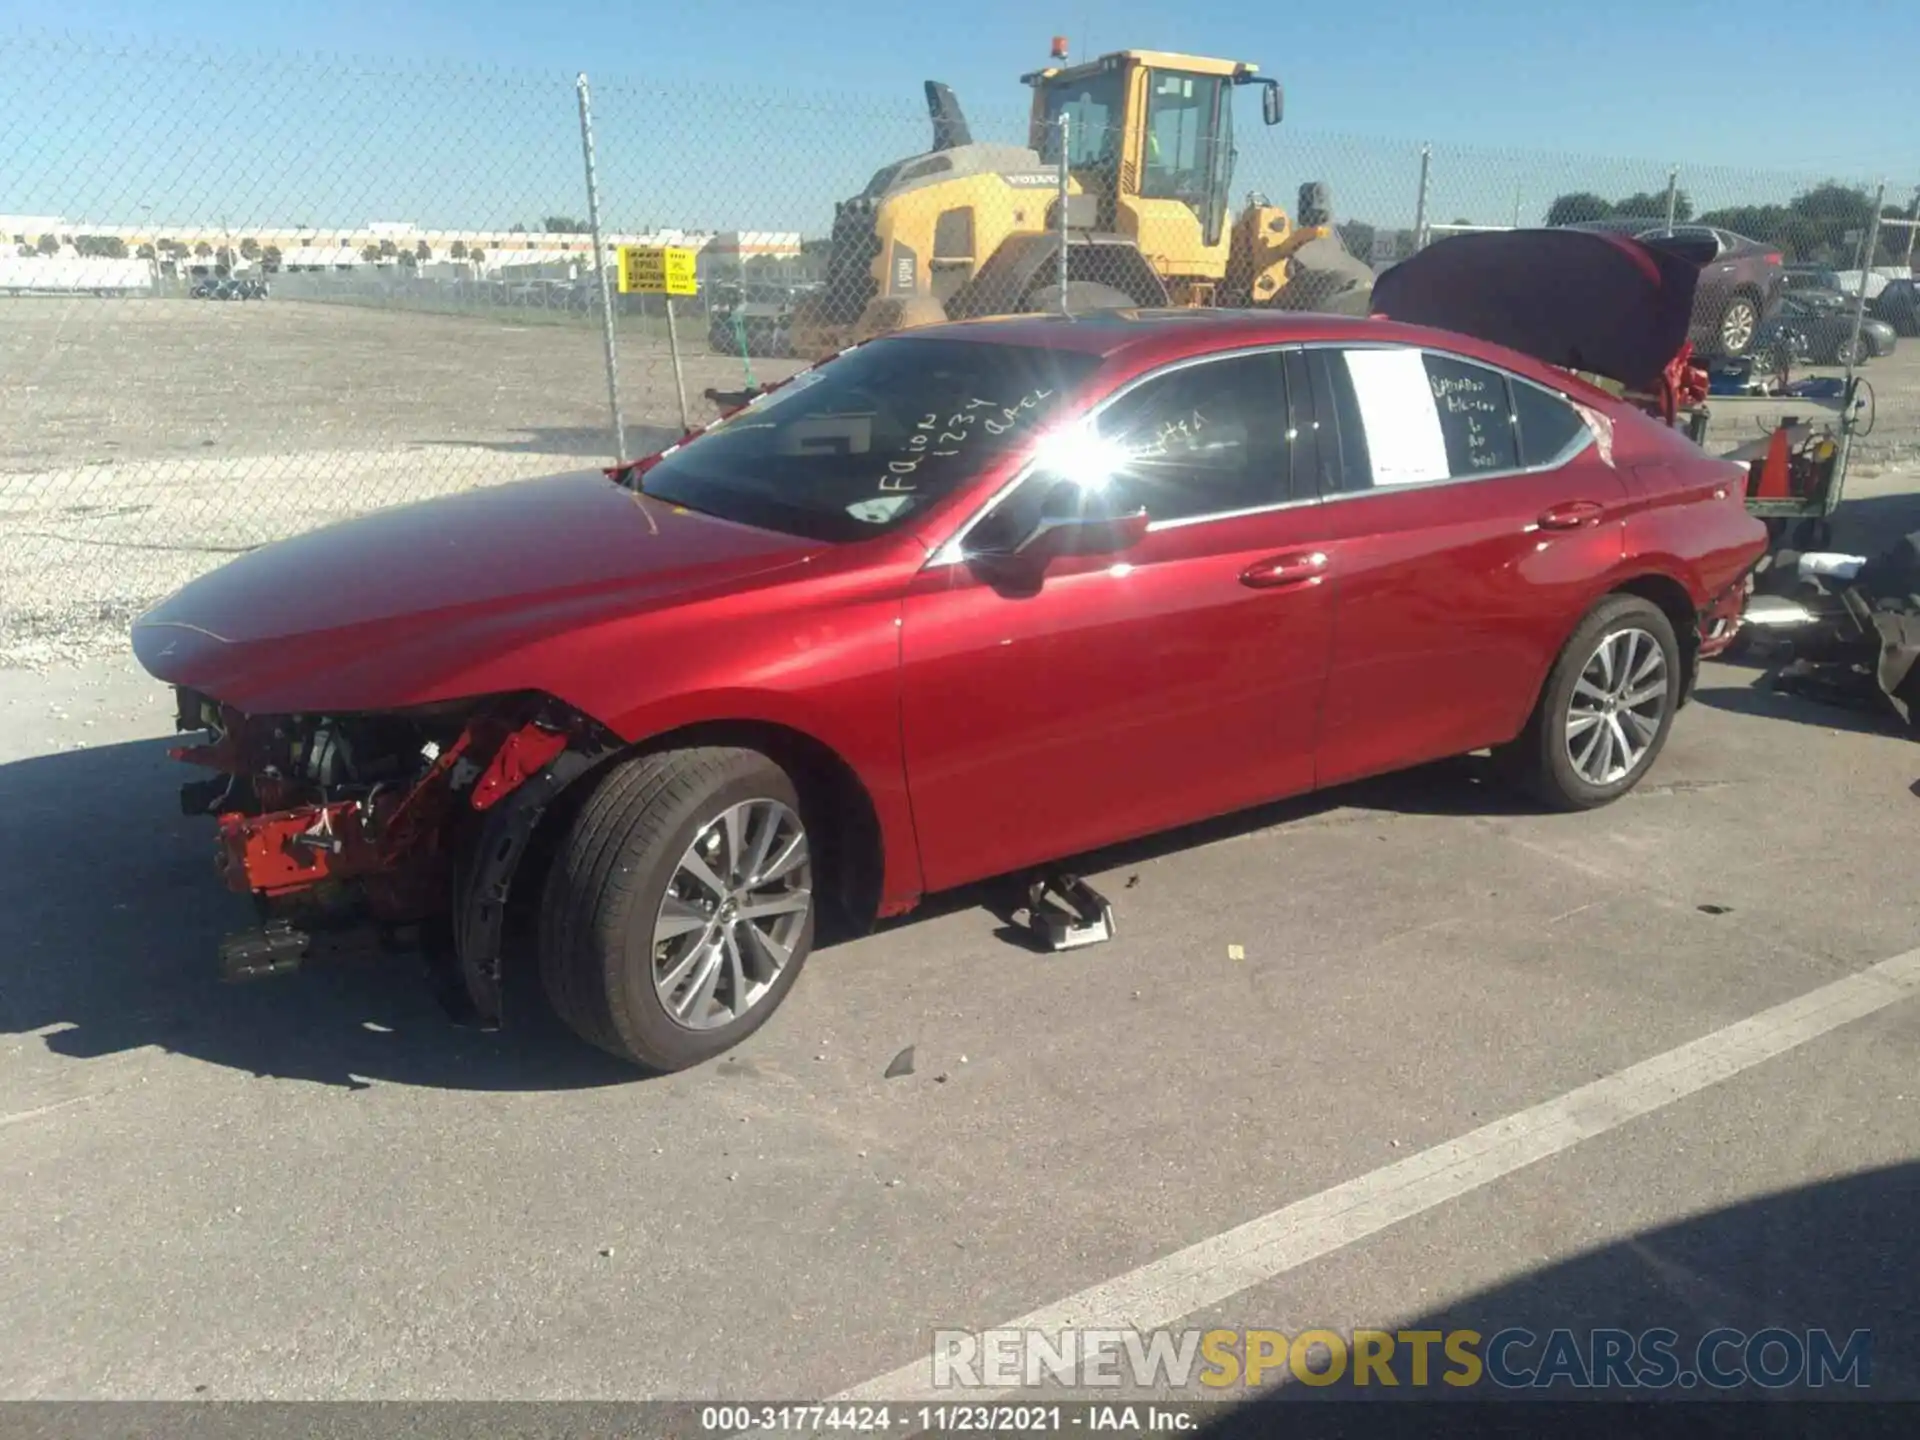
(1596, 702)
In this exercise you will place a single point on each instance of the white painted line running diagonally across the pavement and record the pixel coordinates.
(1211, 1272)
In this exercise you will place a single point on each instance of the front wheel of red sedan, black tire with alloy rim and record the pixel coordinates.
(654, 873)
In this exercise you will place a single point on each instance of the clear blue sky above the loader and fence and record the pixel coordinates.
(1721, 87)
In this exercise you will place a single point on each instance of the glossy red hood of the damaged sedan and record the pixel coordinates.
(421, 602)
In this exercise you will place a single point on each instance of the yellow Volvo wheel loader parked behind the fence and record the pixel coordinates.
(976, 229)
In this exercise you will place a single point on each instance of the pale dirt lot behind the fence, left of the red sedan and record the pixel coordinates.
(141, 443)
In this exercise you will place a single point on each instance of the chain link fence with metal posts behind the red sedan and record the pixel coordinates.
(249, 295)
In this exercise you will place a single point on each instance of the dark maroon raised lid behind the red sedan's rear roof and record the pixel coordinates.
(1573, 299)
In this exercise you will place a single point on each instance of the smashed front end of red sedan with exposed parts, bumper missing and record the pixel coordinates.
(412, 823)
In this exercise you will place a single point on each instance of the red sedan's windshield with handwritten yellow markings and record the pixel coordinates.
(859, 444)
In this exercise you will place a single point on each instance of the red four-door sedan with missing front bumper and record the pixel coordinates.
(951, 606)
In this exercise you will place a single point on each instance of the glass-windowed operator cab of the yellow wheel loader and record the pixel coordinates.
(1151, 143)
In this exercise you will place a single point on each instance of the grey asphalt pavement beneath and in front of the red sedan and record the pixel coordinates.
(320, 1189)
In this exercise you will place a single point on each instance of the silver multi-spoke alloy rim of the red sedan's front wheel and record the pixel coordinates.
(732, 915)
